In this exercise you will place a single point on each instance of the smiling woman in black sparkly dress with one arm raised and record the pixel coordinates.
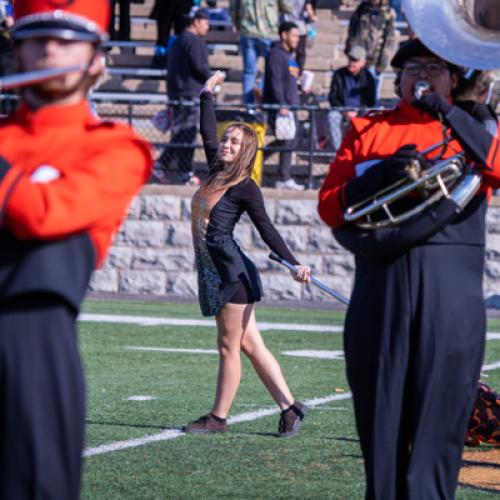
(228, 280)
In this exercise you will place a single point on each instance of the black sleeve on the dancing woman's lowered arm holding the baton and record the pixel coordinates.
(250, 198)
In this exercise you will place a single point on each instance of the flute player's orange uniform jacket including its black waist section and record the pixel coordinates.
(65, 185)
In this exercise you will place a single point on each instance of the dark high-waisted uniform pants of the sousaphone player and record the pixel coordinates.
(414, 344)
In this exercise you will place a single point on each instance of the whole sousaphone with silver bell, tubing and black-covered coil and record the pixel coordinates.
(465, 33)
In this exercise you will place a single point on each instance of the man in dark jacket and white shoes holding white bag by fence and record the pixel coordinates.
(280, 87)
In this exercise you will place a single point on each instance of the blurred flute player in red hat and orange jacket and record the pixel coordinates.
(66, 180)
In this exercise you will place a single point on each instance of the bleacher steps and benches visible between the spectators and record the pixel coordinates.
(134, 89)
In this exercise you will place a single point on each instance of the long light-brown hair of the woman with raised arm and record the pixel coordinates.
(226, 175)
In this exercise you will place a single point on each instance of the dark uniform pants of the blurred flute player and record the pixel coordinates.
(42, 400)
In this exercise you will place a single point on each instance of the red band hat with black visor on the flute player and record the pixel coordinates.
(84, 20)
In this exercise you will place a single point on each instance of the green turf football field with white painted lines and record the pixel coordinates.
(150, 368)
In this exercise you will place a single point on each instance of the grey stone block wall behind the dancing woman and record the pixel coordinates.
(152, 253)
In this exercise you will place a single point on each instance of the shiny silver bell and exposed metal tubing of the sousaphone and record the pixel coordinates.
(465, 33)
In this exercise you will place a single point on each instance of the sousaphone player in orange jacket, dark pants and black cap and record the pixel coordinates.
(415, 328)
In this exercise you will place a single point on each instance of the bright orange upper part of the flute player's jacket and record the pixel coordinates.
(98, 167)
